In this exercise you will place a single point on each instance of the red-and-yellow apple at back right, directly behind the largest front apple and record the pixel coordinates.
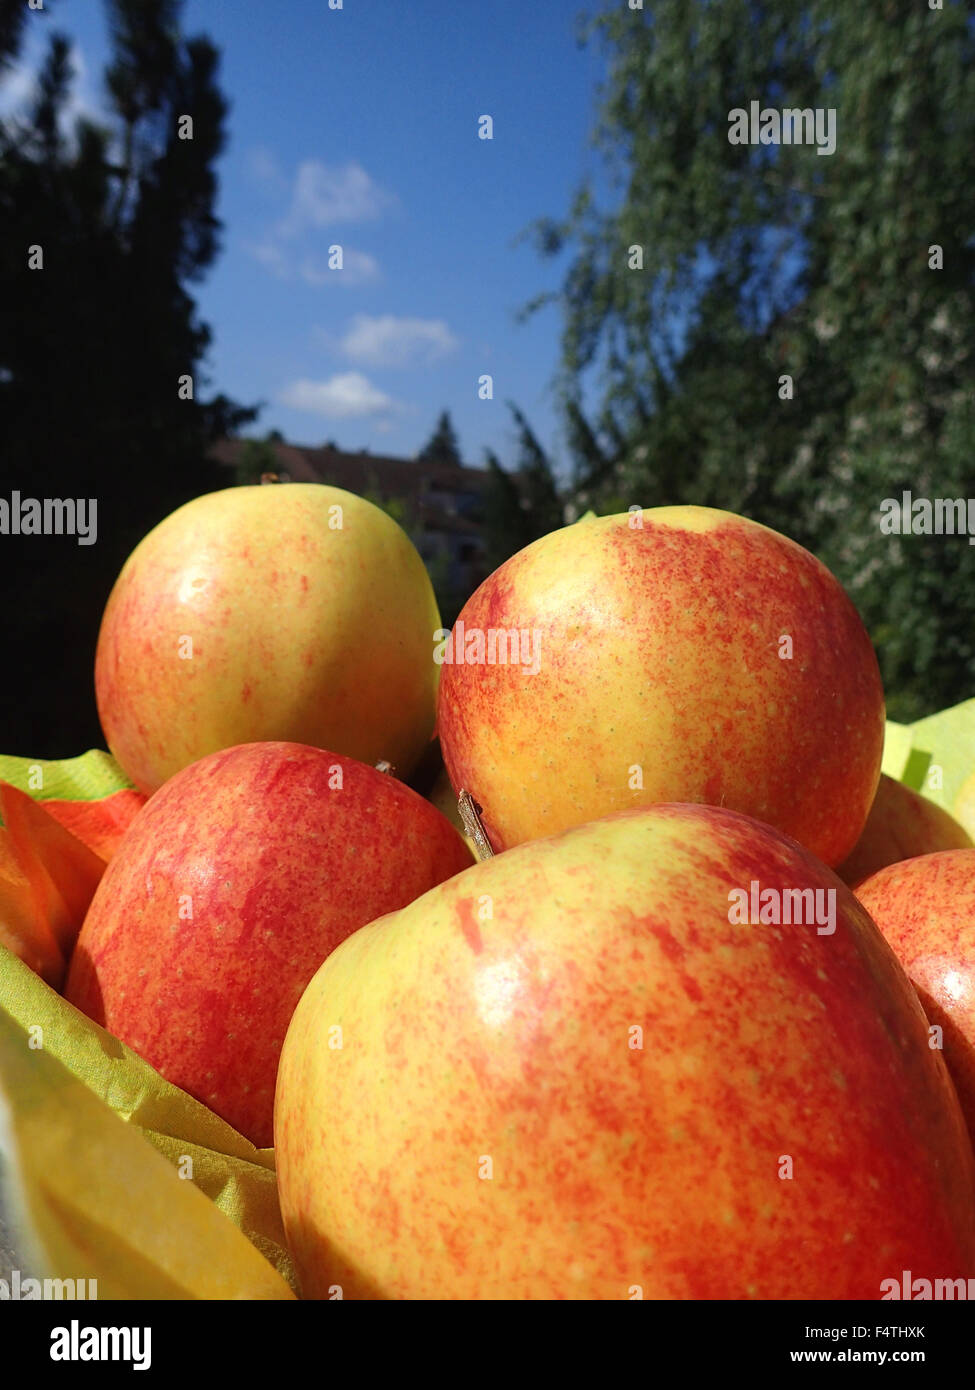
(660, 647)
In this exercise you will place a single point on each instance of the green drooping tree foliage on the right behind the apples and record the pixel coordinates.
(764, 262)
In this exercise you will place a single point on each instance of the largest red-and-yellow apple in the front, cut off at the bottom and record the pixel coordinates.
(468, 1036)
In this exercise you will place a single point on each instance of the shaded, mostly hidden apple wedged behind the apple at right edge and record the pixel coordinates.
(902, 825)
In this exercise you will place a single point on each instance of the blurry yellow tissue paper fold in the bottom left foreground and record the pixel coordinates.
(91, 1199)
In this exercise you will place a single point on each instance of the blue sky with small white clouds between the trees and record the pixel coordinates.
(360, 127)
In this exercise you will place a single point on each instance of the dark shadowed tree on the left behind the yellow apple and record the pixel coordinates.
(102, 352)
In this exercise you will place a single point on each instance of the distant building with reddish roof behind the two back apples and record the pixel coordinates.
(440, 507)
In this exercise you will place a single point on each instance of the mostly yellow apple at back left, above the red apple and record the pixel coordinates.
(301, 633)
